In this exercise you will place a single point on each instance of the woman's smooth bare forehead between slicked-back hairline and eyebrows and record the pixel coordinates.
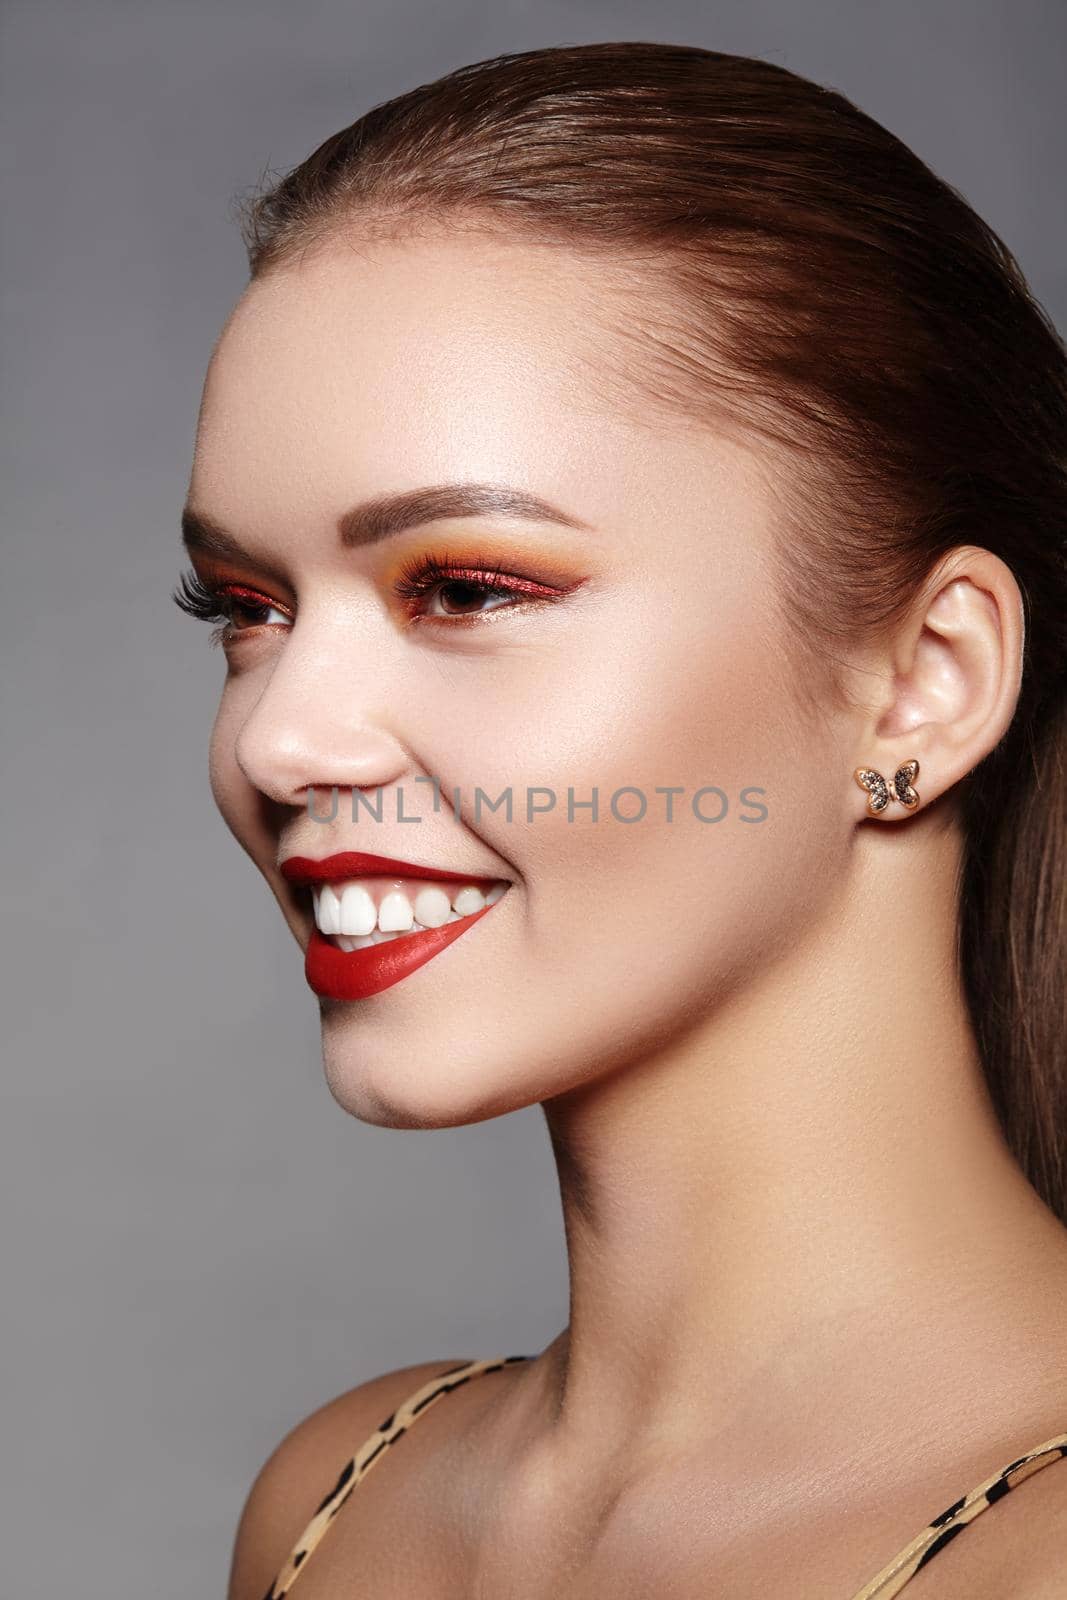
(374, 367)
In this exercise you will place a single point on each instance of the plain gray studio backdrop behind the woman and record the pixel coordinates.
(199, 1246)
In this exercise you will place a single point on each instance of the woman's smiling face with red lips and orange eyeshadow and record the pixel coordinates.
(636, 652)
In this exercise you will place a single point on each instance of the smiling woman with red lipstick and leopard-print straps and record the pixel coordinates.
(649, 436)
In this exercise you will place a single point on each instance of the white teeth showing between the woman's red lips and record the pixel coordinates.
(359, 913)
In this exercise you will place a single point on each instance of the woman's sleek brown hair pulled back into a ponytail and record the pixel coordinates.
(794, 268)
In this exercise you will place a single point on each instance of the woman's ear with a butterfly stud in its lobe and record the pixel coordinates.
(951, 676)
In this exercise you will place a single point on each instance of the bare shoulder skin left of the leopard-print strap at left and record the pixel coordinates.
(302, 1470)
